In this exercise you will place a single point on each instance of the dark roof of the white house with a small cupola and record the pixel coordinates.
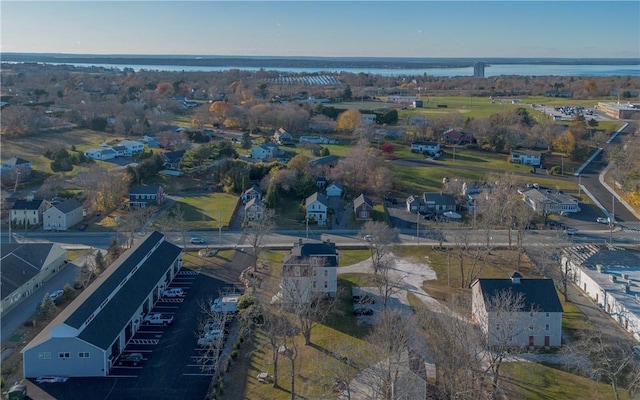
(539, 294)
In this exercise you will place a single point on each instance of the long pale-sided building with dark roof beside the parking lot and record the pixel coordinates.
(87, 337)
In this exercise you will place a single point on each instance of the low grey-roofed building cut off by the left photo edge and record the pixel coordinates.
(25, 267)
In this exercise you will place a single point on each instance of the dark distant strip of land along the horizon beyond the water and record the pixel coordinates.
(301, 62)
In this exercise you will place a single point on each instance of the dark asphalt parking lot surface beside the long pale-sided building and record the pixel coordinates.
(170, 366)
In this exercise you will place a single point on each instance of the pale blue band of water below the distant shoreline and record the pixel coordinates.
(490, 70)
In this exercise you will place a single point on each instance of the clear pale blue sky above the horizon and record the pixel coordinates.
(594, 29)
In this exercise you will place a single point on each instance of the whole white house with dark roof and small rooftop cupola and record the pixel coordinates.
(520, 312)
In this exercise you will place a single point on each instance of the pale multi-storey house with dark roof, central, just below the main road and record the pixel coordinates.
(309, 270)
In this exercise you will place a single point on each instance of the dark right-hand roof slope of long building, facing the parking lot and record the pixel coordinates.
(115, 315)
